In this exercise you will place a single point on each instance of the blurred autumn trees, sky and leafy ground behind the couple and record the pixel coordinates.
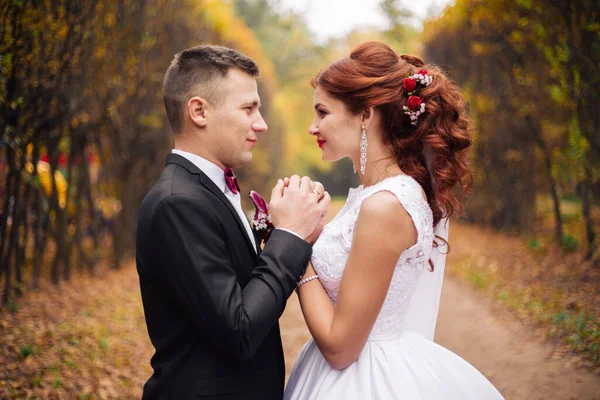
(83, 136)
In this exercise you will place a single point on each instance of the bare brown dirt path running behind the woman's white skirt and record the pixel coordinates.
(511, 355)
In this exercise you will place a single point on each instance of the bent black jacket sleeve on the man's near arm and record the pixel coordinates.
(203, 281)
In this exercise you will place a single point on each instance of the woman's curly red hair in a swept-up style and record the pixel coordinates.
(372, 77)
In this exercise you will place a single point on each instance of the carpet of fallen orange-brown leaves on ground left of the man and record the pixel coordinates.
(87, 339)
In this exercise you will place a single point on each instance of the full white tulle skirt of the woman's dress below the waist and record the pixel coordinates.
(407, 366)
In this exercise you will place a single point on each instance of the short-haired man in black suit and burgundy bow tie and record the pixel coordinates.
(211, 297)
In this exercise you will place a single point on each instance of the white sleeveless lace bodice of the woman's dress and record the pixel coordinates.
(331, 250)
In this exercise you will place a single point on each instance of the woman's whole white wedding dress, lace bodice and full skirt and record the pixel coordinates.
(396, 362)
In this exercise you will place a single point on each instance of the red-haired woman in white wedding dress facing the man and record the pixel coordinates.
(370, 296)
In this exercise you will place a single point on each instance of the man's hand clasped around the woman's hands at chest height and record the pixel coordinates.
(297, 207)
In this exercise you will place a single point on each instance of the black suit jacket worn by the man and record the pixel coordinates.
(211, 303)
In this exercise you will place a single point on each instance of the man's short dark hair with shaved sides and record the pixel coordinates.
(196, 72)
